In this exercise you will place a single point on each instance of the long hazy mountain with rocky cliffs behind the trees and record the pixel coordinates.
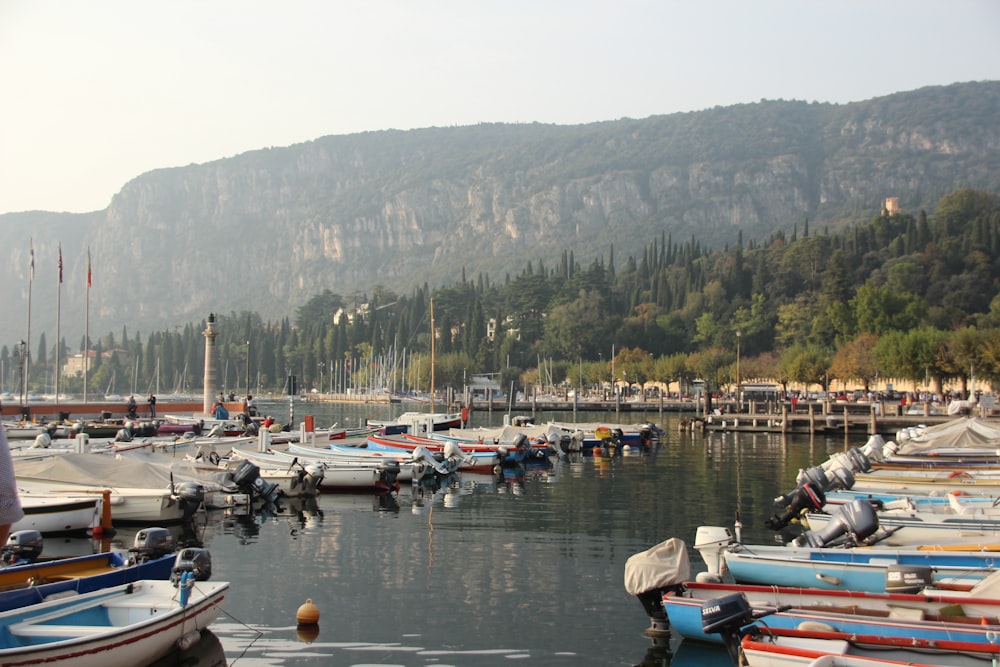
(267, 229)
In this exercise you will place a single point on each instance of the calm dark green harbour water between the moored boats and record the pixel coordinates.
(487, 572)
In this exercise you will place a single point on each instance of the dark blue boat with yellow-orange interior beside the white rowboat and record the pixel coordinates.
(28, 579)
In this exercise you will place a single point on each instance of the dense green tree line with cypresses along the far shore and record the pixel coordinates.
(898, 297)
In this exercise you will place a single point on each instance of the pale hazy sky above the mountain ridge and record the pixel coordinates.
(94, 93)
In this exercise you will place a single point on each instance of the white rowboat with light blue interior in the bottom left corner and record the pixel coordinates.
(130, 624)
